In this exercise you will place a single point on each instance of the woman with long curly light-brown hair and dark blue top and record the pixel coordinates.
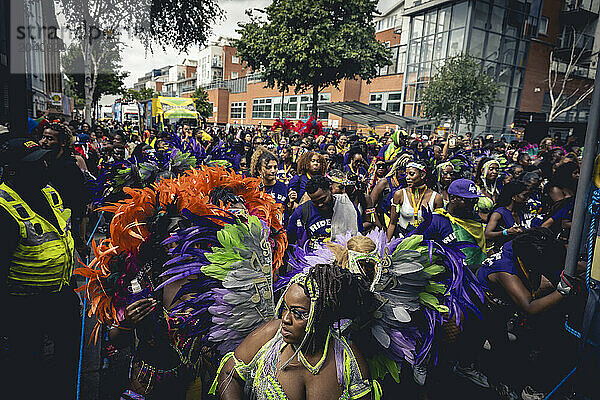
(264, 166)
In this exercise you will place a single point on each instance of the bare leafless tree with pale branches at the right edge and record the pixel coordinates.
(563, 97)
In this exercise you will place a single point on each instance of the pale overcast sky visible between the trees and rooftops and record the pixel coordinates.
(137, 62)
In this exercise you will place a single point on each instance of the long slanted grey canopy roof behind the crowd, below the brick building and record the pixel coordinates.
(371, 116)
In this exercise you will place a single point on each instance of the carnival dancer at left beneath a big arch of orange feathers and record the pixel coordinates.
(149, 268)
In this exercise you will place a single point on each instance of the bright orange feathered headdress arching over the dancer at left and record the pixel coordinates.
(136, 223)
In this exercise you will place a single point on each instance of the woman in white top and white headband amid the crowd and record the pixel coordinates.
(407, 203)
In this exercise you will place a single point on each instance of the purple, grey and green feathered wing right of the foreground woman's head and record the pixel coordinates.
(423, 284)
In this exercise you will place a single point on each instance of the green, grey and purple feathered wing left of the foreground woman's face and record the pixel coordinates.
(237, 271)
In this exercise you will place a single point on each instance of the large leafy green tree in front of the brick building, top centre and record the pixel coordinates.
(313, 44)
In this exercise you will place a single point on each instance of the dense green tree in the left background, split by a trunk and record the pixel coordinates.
(108, 81)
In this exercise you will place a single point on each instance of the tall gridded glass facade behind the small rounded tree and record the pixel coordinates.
(496, 32)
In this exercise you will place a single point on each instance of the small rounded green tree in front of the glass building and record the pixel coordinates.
(459, 91)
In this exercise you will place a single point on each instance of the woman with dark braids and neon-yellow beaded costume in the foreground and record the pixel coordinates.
(301, 355)
